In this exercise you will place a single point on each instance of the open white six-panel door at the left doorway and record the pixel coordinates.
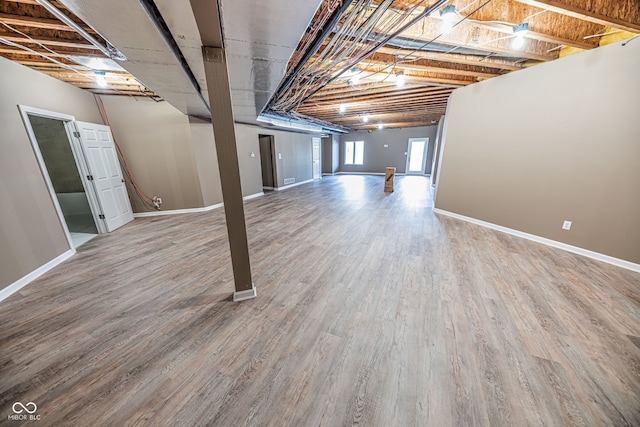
(104, 169)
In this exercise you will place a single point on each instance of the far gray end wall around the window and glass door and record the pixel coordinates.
(377, 157)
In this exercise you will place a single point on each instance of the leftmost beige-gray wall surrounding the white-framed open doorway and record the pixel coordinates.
(30, 232)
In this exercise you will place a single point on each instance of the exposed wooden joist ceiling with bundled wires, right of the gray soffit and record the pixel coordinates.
(352, 79)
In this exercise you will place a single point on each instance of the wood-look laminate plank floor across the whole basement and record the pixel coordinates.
(371, 310)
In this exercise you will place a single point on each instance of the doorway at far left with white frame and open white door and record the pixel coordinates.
(82, 172)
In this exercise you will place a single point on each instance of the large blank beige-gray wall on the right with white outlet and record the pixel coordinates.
(531, 149)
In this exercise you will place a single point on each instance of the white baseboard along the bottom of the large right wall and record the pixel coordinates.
(554, 243)
